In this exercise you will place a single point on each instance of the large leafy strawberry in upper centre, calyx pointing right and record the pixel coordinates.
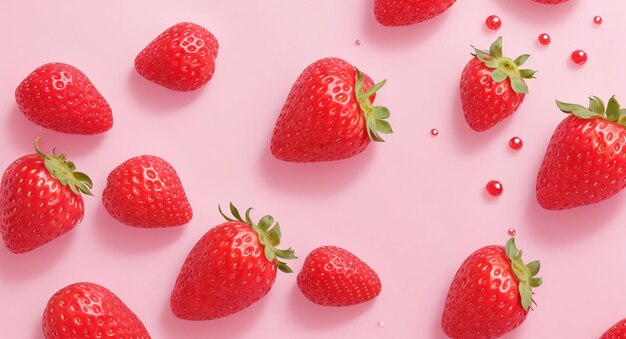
(329, 114)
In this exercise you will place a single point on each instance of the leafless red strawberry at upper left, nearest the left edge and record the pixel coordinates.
(61, 98)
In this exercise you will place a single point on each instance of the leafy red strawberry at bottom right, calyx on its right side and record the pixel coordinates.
(491, 293)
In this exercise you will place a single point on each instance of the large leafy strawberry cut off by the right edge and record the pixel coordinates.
(586, 157)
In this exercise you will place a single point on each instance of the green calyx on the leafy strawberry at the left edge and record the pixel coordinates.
(65, 171)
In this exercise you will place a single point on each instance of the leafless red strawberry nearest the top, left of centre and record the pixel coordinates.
(182, 58)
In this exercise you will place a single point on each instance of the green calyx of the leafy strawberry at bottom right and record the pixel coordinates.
(525, 273)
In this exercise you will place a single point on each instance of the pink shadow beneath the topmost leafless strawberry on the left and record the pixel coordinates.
(158, 98)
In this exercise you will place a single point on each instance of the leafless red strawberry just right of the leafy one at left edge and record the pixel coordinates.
(145, 191)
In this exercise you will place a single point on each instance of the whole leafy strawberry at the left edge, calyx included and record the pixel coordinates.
(40, 200)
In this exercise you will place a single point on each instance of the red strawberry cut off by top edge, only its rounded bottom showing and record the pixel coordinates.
(408, 12)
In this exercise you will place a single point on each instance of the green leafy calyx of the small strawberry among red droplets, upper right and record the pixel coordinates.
(504, 67)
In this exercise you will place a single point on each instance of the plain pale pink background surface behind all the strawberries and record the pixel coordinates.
(413, 208)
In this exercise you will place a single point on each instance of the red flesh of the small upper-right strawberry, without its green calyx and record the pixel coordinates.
(486, 102)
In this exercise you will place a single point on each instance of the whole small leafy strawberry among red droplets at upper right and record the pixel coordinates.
(492, 87)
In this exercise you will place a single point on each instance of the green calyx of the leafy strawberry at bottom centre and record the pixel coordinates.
(269, 237)
